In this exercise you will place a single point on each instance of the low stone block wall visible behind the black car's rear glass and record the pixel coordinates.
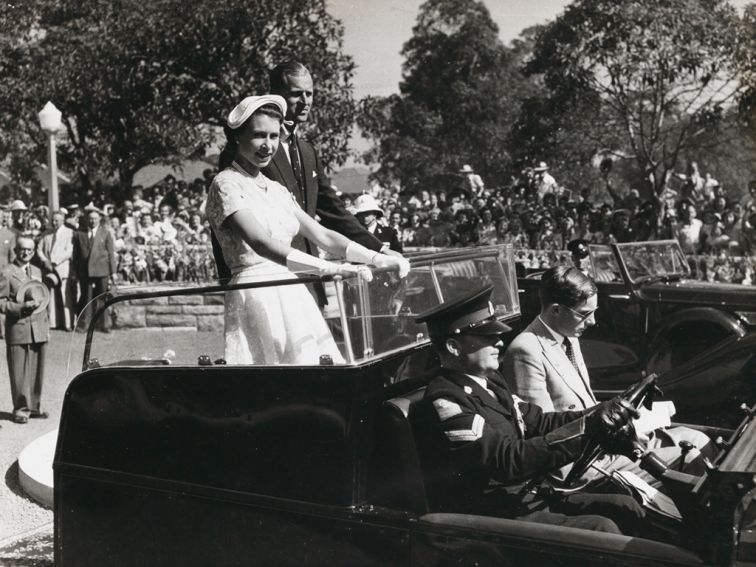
(198, 312)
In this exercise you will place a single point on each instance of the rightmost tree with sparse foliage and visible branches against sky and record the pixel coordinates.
(643, 79)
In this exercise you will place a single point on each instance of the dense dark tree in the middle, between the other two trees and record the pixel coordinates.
(458, 97)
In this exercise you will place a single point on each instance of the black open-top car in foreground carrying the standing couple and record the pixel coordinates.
(168, 456)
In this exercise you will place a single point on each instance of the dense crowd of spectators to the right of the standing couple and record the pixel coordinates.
(538, 216)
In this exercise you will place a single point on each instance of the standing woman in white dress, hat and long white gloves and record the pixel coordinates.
(255, 220)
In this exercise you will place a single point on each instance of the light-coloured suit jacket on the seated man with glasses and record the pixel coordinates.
(538, 369)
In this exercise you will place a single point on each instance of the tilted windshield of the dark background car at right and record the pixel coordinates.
(654, 260)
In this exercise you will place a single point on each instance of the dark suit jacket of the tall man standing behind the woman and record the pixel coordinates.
(318, 198)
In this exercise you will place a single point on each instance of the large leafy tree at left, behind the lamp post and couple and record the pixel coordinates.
(143, 82)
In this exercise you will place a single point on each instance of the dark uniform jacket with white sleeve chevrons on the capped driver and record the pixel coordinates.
(471, 441)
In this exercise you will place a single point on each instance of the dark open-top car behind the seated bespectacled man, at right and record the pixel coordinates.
(653, 317)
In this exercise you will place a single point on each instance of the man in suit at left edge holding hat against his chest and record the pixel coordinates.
(23, 300)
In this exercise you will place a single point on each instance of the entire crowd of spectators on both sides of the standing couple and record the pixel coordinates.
(161, 233)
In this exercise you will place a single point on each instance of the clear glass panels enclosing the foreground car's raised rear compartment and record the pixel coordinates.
(190, 327)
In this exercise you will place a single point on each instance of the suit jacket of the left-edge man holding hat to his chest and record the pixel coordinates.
(21, 330)
